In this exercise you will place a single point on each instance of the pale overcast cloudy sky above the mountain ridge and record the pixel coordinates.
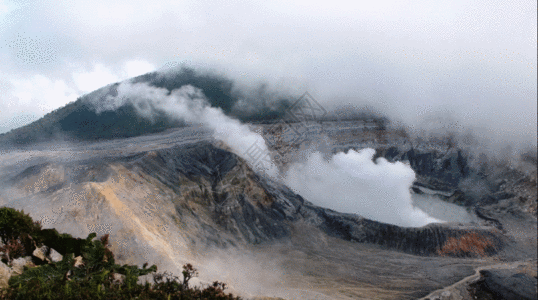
(472, 63)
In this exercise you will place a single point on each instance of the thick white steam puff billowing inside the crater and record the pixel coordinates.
(353, 183)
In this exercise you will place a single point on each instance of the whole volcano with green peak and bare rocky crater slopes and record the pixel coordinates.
(167, 192)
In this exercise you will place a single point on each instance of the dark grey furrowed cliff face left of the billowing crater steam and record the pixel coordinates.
(219, 189)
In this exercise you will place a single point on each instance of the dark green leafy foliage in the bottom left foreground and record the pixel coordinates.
(99, 277)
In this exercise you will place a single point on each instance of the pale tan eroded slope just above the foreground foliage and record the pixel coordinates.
(112, 203)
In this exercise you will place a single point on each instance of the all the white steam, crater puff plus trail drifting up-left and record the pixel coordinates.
(349, 183)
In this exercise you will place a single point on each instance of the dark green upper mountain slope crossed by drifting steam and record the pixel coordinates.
(83, 120)
